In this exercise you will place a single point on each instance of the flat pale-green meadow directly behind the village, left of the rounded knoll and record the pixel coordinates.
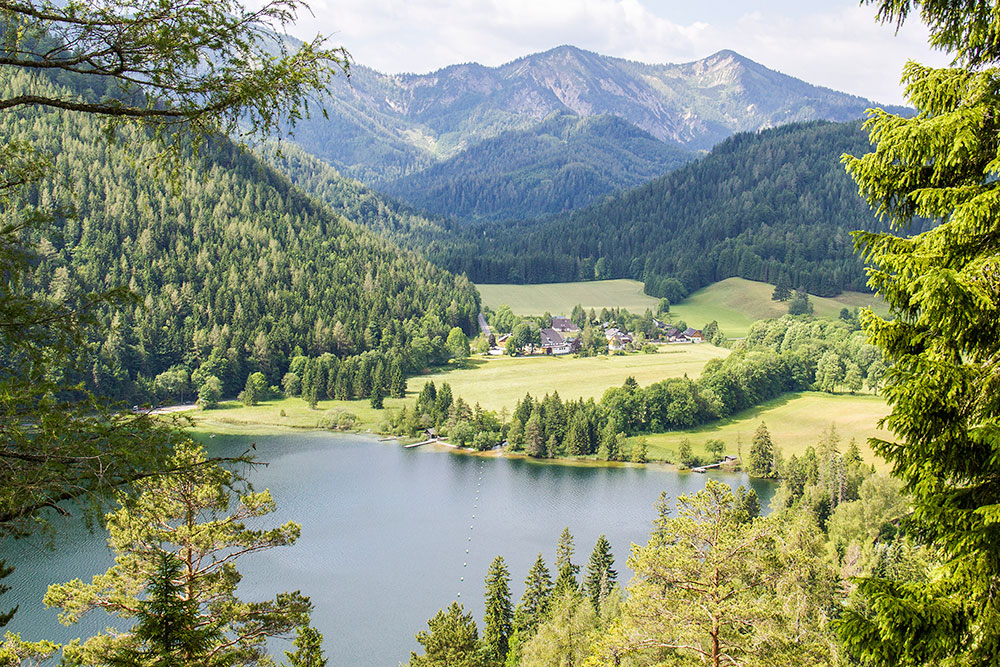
(559, 298)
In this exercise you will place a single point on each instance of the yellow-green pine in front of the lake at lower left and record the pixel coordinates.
(200, 517)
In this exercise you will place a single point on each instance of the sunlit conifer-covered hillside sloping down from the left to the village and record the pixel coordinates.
(235, 269)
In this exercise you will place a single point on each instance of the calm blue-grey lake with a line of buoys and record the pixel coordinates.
(389, 535)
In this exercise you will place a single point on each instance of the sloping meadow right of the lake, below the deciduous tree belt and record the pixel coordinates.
(794, 421)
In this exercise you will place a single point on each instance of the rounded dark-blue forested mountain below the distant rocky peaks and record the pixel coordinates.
(561, 164)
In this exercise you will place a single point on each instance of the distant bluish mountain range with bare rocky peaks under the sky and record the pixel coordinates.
(382, 128)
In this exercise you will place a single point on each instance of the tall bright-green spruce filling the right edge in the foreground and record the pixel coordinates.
(941, 340)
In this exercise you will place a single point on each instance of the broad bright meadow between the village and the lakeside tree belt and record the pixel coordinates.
(496, 382)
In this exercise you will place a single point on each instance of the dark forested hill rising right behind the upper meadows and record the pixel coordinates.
(759, 206)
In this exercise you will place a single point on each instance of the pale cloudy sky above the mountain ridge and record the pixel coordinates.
(834, 43)
